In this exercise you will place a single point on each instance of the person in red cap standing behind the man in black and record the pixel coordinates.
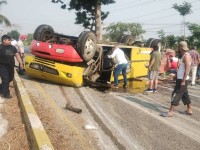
(20, 45)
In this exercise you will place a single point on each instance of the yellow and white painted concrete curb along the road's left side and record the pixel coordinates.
(39, 139)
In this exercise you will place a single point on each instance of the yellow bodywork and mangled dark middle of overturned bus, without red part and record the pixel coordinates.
(98, 70)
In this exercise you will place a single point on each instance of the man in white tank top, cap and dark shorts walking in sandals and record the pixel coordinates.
(182, 81)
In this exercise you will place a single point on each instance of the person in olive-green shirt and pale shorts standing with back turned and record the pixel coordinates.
(154, 65)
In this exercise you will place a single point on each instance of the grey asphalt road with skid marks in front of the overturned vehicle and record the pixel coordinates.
(115, 119)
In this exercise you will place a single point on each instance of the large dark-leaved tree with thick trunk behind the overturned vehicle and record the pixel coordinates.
(89, 14)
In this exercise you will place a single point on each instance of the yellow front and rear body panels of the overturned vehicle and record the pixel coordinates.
(71, 74)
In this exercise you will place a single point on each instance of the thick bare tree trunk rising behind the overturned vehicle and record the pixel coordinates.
(98, 28)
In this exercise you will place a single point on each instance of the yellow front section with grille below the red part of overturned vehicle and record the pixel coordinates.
(66, 74)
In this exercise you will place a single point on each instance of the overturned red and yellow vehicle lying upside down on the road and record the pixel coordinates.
(74, 61)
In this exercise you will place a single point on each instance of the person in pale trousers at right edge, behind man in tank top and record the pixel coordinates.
(194, 65)
